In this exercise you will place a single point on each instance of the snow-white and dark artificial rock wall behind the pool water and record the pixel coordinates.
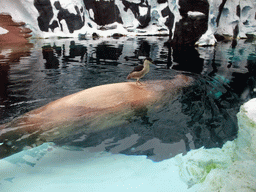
(185, 21)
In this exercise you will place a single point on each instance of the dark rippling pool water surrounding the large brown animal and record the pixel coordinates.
(202, 114)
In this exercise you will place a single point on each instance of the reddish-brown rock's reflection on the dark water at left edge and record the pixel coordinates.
(10, 59)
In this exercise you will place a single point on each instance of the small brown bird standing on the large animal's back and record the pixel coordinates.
(141, 70)
